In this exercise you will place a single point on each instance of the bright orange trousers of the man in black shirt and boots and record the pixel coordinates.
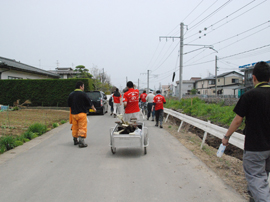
(79, 125)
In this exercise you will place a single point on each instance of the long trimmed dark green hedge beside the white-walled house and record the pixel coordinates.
(41, 92)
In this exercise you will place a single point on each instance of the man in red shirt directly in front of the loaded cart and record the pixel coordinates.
(131, 102)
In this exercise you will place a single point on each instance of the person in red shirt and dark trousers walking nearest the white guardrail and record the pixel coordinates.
(158, 102)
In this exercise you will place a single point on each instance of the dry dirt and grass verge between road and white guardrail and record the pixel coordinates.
(228, 168)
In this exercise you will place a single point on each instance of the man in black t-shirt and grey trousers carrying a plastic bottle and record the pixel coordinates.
(254, 106)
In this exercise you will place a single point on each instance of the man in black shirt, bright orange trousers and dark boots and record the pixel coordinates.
(79, 103)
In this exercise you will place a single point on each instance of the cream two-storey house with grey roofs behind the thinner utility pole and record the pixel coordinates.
(227, 84)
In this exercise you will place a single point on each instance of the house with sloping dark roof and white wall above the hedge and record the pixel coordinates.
(12, 69)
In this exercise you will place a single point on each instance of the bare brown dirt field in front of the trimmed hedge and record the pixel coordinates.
(17, 122)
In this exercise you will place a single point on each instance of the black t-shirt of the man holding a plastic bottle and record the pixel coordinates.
(255, 106)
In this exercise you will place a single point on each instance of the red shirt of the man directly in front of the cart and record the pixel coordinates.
(132, 99)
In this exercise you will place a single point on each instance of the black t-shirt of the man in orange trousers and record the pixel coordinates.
(79, 102)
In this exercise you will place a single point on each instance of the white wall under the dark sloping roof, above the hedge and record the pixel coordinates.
(12, 74)
